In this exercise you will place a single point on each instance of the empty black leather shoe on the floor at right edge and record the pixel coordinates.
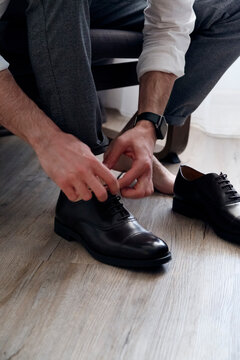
(209, 197)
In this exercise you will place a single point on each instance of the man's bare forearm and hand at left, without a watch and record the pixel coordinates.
(66, 160)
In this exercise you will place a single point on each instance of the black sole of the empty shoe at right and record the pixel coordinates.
(186, 209)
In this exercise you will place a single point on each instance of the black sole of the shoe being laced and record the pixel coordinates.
(71, 235)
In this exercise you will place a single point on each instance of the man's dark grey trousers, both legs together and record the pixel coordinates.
(60, 52)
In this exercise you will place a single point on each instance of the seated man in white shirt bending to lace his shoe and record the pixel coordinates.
(47, 45)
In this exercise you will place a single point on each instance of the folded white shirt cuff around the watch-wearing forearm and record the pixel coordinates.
(159, 59)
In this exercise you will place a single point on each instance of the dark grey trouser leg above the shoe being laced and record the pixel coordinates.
(60, 54)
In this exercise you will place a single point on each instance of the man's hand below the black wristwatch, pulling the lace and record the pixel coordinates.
(138, 144)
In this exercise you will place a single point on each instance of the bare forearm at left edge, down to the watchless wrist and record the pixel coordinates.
(20, 115)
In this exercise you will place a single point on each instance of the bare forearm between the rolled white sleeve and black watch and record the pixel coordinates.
(155, 90)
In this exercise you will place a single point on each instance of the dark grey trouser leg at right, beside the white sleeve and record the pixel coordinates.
(214, 47)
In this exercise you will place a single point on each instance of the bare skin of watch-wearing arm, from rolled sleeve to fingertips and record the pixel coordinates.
(138, 143)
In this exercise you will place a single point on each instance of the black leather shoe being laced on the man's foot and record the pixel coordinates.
(109, 232)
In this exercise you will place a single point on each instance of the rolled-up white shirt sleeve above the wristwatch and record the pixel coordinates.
(167, 28)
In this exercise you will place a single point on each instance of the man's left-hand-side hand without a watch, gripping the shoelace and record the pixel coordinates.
(73, 167)
